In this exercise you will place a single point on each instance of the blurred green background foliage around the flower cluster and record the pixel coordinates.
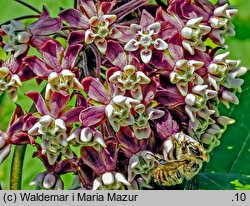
(229, 166)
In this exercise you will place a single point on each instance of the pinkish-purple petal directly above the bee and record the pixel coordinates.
(166, 126)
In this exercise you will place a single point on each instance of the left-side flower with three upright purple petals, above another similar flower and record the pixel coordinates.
(57, 67)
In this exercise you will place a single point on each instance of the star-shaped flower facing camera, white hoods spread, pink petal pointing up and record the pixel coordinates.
(146, 37)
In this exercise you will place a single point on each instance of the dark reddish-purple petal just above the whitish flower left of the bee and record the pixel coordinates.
(127, 140)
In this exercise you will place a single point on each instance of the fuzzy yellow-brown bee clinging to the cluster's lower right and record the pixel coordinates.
(182, 159)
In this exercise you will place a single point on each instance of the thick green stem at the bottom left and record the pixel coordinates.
(16, 167)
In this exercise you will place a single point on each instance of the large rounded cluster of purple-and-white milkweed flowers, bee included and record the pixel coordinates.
(131, 90)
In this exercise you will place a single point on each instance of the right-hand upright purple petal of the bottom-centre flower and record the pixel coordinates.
(109, 155)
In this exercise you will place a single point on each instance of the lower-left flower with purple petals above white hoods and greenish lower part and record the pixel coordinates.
(53, 123)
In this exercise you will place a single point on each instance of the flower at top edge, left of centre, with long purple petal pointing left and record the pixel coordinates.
(95, 20)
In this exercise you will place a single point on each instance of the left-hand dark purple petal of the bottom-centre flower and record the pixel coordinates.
(92, 158)
